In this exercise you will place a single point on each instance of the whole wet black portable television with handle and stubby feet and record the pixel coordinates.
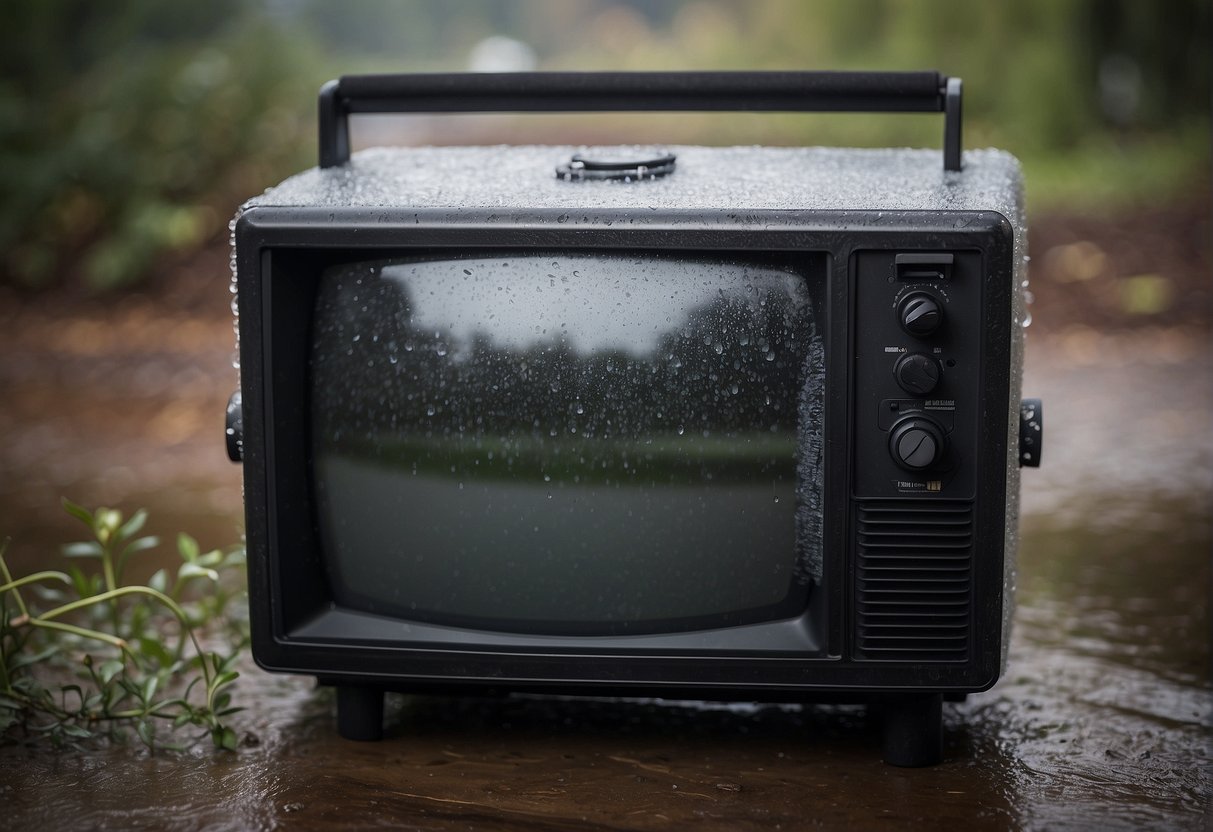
(732, 424)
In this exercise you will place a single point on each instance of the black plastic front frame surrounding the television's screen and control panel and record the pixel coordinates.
(282, 253)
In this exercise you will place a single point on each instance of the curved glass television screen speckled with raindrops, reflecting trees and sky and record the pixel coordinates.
(589, 445)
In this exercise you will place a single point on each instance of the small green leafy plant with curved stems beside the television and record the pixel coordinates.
(107, 657)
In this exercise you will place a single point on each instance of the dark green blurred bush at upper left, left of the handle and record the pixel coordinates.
(130, 130)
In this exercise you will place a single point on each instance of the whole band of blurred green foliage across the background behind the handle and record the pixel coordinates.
(130, 130)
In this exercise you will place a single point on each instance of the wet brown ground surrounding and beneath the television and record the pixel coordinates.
(1103, 720)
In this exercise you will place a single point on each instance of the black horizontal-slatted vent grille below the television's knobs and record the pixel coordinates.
(914, 582)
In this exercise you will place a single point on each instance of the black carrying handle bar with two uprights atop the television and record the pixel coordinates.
(596, 93)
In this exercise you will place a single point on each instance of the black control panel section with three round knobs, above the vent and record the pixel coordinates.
(920, 401)
